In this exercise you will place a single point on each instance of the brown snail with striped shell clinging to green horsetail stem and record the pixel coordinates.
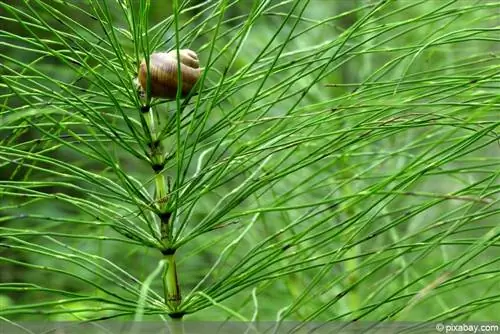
(163, 72)
